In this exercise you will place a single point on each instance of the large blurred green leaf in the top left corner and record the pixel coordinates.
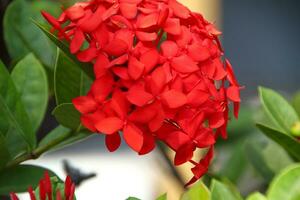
(22, 37)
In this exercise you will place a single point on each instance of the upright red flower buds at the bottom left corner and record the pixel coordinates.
(46, 190)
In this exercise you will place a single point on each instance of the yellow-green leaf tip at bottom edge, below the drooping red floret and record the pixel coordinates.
(198, 192)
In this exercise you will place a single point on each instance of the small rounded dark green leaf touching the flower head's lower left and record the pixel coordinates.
(67, 115)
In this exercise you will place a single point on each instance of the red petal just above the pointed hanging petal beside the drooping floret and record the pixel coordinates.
(176, 139)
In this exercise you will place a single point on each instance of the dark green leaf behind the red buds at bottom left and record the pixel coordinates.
(19, 178)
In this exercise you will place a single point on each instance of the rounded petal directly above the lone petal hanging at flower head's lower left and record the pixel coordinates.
(109, 125)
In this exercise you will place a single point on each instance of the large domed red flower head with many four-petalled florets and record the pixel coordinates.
(159, 75)
